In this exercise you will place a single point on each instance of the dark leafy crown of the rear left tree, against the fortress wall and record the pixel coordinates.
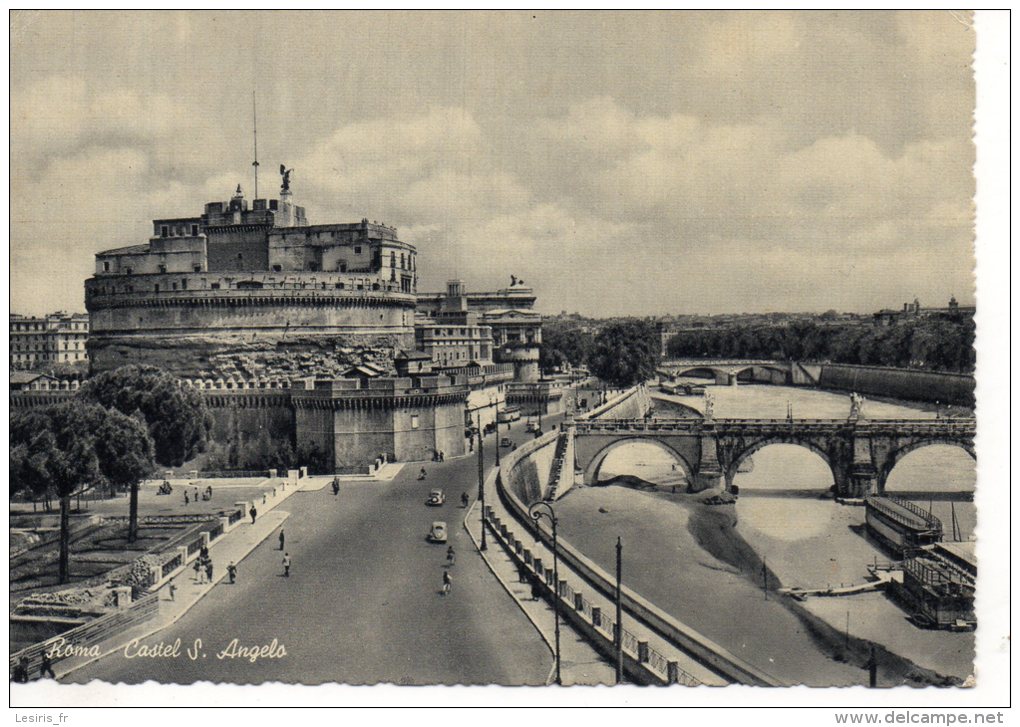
(177, 418)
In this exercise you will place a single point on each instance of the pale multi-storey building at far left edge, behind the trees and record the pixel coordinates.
(47, 341)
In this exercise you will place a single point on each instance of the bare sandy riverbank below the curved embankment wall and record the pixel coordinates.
(693, 561)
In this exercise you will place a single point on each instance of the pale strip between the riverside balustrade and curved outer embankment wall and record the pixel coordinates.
(595, 598)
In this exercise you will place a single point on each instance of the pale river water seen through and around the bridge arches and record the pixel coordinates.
(810, 542)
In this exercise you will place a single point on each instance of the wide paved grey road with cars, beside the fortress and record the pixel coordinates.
(363, 604)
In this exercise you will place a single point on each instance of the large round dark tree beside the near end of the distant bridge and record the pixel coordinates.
(626, 353)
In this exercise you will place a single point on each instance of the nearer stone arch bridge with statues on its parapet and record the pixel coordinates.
(861, 453)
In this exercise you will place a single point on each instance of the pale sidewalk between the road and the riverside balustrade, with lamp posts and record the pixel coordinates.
(582, 665)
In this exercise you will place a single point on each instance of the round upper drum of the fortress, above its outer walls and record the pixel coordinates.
(254, 281)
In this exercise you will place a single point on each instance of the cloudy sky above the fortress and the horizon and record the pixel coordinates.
(639, 164)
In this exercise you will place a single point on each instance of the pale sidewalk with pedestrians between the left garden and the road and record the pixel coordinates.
(234, 546)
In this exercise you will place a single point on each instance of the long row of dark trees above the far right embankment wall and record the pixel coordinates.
(934, 343)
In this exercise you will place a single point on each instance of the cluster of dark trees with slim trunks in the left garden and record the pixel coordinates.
(120, 427)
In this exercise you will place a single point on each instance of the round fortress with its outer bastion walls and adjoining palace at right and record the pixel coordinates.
(315, 332)
